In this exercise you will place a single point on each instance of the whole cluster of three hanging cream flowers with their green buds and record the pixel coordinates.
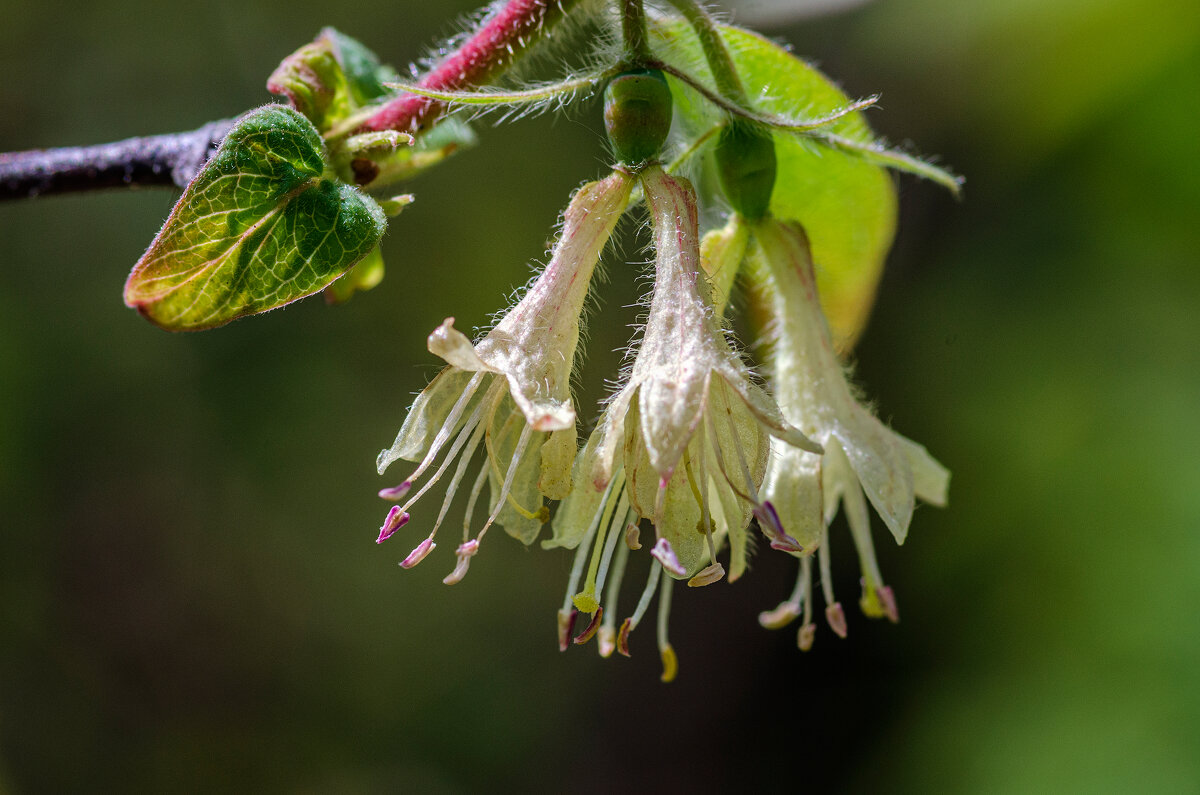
(692, 445)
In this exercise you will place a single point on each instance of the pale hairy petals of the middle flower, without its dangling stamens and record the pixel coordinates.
(691, 411)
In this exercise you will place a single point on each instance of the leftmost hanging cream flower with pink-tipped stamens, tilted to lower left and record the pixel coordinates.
(511, 393)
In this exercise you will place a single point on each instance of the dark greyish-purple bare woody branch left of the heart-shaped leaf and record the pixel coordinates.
(160, 162)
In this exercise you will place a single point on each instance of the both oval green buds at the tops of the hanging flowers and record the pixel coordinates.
(638, 111)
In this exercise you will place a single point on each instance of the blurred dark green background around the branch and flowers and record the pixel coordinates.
(190, 593)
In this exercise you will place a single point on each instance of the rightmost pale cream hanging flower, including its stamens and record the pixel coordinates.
(863, 461)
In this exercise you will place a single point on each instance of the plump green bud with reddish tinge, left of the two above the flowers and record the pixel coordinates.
(638, 115)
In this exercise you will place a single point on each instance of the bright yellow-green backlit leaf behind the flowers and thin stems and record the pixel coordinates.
(847, 204)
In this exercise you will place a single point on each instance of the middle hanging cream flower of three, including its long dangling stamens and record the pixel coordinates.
(683, 444)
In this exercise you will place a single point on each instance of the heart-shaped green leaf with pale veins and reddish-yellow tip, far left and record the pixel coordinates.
(261, 226)
